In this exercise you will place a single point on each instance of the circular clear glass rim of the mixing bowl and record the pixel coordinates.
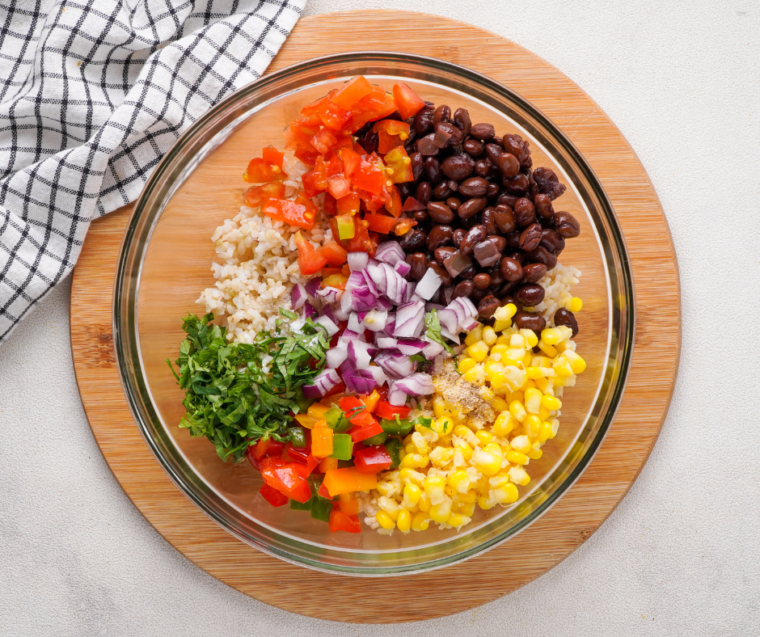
(124, 338)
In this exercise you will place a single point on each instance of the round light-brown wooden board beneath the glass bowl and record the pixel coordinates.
(582, 509)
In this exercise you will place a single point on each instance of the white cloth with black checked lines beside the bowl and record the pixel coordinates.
(92, 94)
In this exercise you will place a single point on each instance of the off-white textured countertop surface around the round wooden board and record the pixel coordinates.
(679, 556)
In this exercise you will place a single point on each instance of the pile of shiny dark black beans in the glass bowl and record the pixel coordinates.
(485, 218)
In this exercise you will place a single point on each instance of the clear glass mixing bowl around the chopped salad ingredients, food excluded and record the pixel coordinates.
(165, 263)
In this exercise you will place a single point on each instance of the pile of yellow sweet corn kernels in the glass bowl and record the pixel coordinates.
(457, 464)
